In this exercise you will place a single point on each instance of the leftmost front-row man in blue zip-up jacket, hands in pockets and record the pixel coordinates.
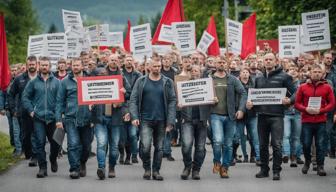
(39, 99)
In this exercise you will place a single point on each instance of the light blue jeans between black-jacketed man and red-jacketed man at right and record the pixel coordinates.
(292, 133)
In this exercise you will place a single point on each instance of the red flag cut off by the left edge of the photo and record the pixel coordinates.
(5, 75)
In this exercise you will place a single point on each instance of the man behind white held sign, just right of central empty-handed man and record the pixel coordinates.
(194, 132)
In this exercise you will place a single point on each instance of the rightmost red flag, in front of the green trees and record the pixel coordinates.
(249, 41)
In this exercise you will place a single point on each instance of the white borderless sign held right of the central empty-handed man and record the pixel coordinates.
(195, 92)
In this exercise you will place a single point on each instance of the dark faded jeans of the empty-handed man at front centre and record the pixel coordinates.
(152, 130)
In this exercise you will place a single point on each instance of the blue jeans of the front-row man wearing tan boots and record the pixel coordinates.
(223, 130)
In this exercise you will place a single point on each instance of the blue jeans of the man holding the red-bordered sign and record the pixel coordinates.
(107, 134)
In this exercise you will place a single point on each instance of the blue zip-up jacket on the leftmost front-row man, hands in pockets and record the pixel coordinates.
(39, 96)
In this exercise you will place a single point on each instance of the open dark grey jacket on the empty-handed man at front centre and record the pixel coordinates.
(169, 99)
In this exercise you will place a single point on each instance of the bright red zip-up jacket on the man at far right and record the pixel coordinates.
(319, 89)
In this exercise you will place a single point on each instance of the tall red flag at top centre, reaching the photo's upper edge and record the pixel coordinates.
(173, 13)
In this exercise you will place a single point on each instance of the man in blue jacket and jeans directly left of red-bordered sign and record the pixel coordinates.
(77, 120)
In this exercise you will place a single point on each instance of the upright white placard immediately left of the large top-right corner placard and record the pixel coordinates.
(289, 41)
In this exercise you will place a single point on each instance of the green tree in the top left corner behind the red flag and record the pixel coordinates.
(21, 21)
